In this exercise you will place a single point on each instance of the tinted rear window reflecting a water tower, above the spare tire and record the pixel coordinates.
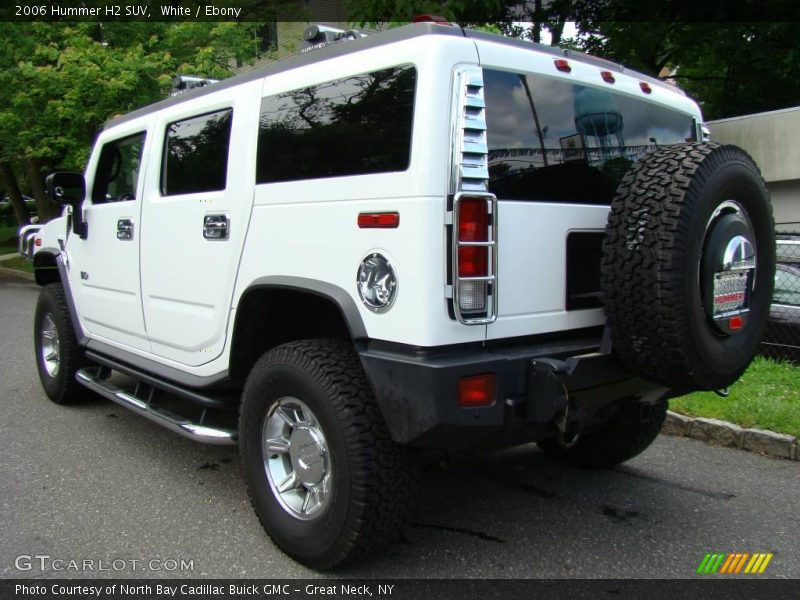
(557, 141)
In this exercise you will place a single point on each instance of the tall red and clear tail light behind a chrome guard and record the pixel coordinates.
(475, 258)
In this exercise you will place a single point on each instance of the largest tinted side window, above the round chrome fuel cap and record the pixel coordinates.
(352, 126)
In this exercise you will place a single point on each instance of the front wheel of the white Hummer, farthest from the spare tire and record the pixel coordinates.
(52, 313)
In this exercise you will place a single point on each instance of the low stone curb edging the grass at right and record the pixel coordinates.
(728, 435)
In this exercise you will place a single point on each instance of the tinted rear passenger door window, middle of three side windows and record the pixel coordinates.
(196, 154)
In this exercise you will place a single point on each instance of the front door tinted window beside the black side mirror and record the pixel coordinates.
(117, 172)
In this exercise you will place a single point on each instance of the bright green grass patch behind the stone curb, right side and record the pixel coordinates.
(766, 397)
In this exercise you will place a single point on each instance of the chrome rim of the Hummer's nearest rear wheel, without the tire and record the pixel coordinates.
(296, 458)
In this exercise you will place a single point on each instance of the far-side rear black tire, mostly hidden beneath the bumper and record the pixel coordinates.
(631, 430)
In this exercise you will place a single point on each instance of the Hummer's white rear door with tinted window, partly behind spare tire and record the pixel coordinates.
(558, 144)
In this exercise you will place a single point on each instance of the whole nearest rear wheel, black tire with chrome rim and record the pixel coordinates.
(324, 477)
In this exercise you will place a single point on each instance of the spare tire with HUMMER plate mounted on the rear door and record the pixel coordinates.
(688, 265)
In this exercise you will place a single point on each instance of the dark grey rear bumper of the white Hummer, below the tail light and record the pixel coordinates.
(417, 390)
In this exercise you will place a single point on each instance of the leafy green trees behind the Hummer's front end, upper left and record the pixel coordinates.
(60, 82)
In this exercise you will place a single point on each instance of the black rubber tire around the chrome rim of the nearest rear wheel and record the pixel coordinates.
(370, 473)
